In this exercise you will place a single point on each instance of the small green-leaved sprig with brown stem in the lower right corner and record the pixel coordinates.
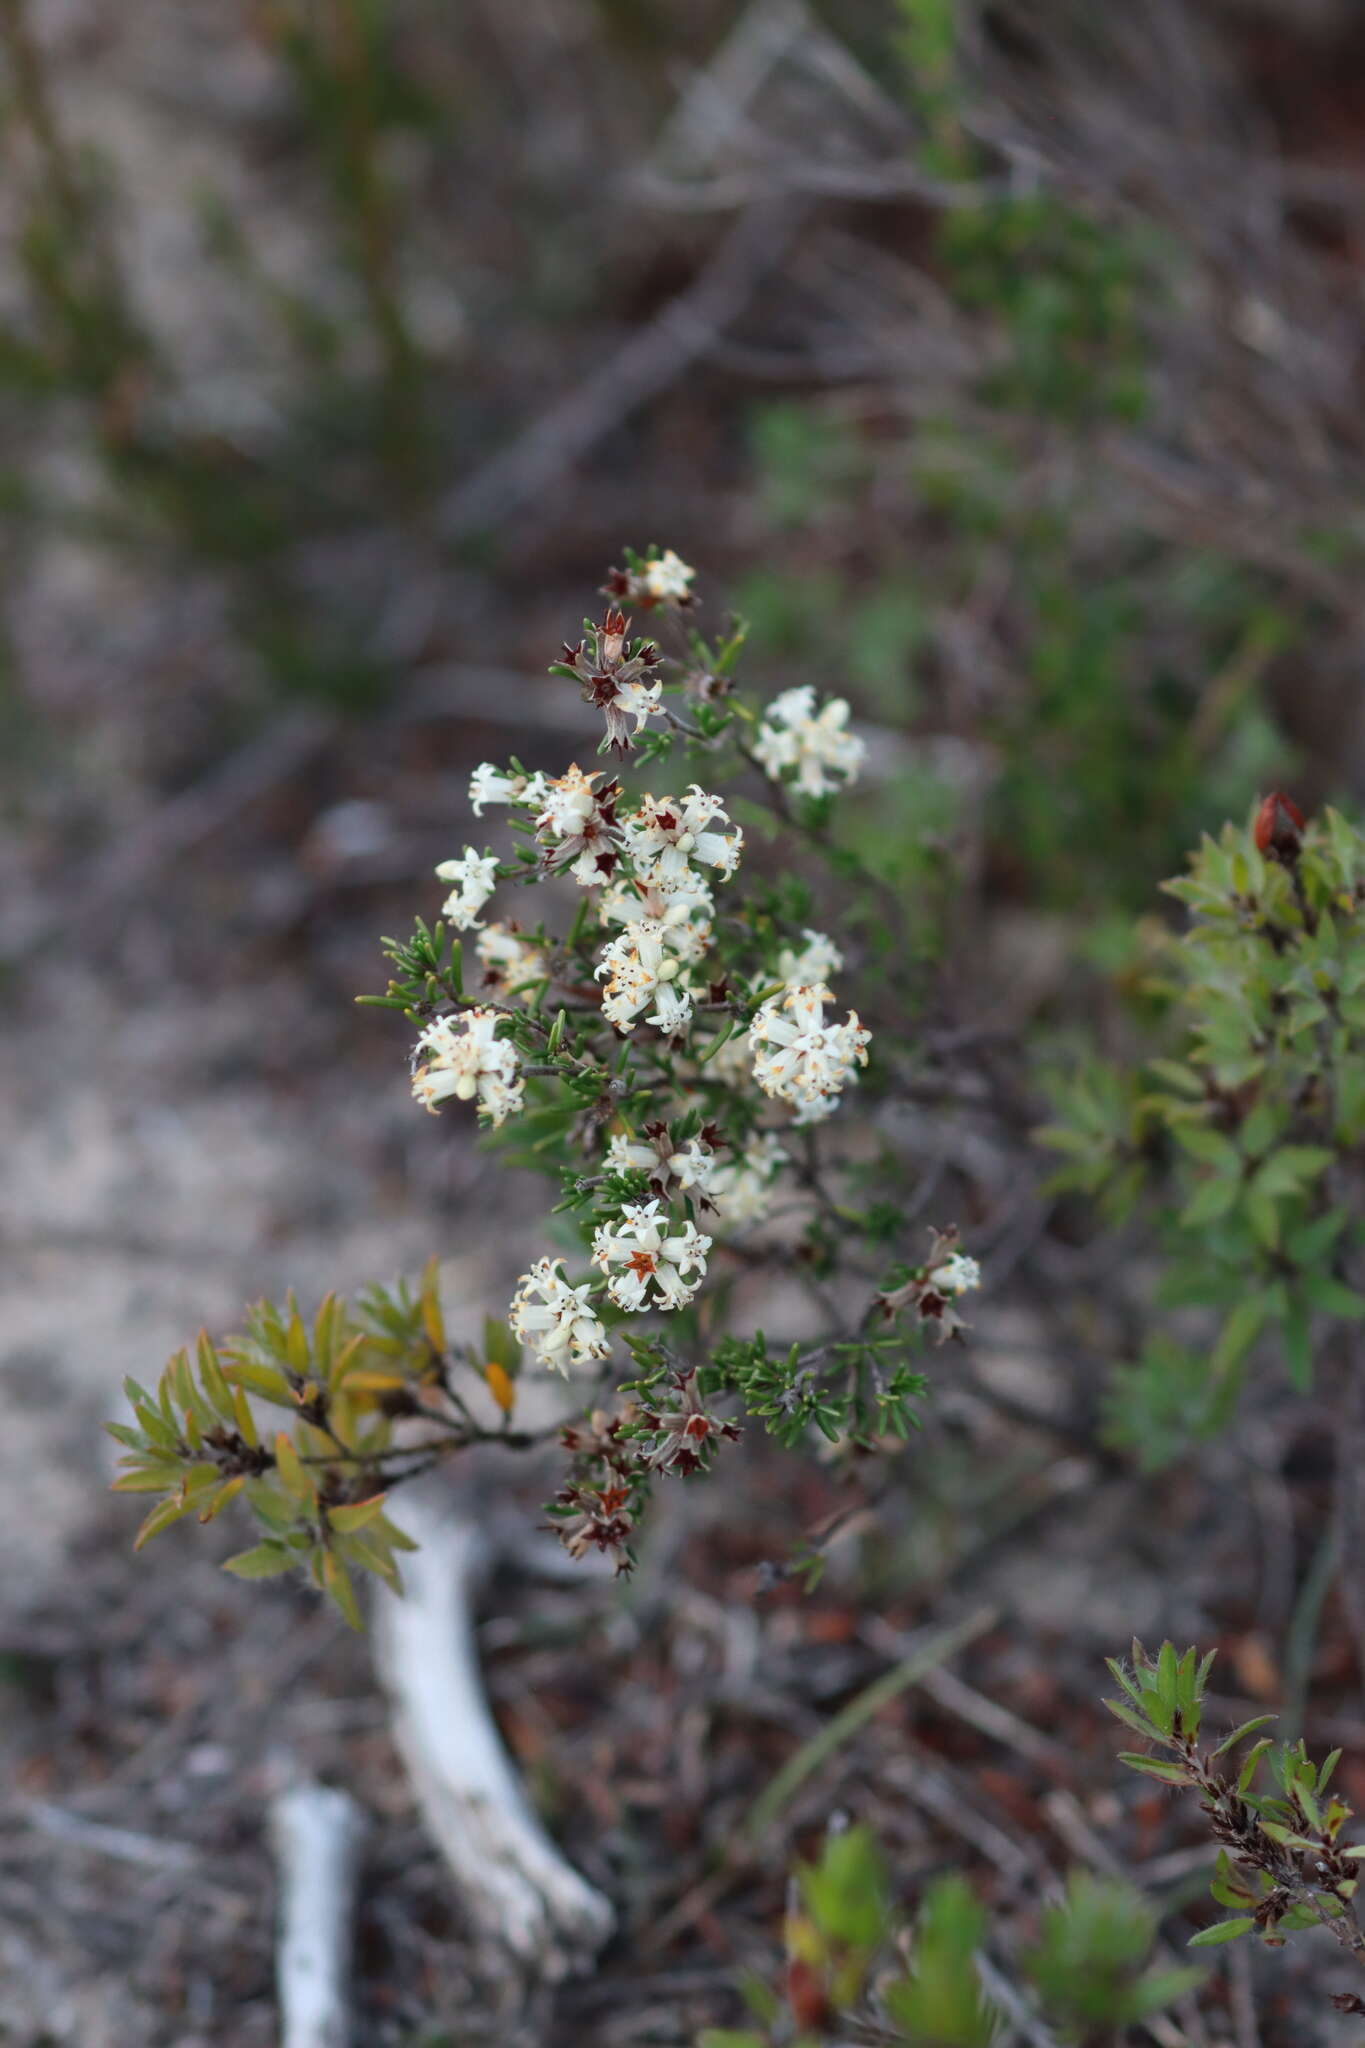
(1280, 1867)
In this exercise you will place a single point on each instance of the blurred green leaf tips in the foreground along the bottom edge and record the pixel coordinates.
(848, 1963)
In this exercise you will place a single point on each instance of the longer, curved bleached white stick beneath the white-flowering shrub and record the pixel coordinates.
(513, 1879)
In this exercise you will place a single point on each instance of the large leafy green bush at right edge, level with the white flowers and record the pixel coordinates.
(1243, 1136)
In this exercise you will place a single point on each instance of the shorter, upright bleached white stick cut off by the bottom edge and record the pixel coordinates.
(318, 1850)
